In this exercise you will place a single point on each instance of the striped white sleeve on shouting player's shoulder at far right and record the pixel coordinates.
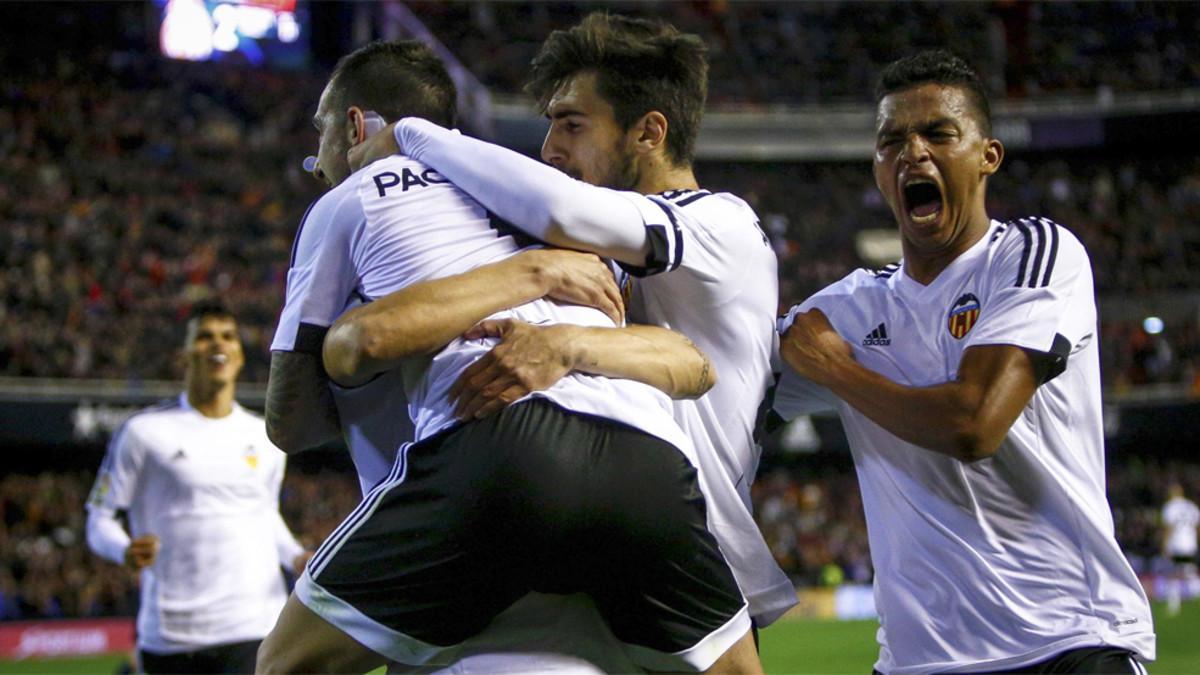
(1039, 295)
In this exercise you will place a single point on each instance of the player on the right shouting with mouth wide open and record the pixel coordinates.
(969, 386)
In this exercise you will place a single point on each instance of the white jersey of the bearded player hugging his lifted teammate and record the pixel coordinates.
(713, 277)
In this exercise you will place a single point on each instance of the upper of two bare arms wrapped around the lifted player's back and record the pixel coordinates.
(425, 318)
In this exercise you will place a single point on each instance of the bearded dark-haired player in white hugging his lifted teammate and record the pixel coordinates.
(701, 264)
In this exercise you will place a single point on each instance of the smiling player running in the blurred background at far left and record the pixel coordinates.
(200, 483)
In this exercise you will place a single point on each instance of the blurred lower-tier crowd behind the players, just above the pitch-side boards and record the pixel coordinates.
(812, 519)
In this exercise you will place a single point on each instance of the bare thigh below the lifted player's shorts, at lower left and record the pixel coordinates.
(303, 642)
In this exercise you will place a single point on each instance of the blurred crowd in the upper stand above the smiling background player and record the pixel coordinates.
(129, 190)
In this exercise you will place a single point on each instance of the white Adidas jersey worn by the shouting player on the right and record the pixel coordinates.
(1003, 563)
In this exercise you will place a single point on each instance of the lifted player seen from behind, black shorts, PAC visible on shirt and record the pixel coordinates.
(587, 487)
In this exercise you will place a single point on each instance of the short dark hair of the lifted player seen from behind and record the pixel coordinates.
(397, 80)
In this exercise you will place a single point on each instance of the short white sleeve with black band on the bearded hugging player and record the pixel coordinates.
(715, 240)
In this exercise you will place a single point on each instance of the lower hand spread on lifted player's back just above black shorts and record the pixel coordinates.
(529, 359)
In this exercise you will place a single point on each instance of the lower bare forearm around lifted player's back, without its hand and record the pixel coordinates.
(655, 356)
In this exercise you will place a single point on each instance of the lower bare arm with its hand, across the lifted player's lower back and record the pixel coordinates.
(532, 359)
